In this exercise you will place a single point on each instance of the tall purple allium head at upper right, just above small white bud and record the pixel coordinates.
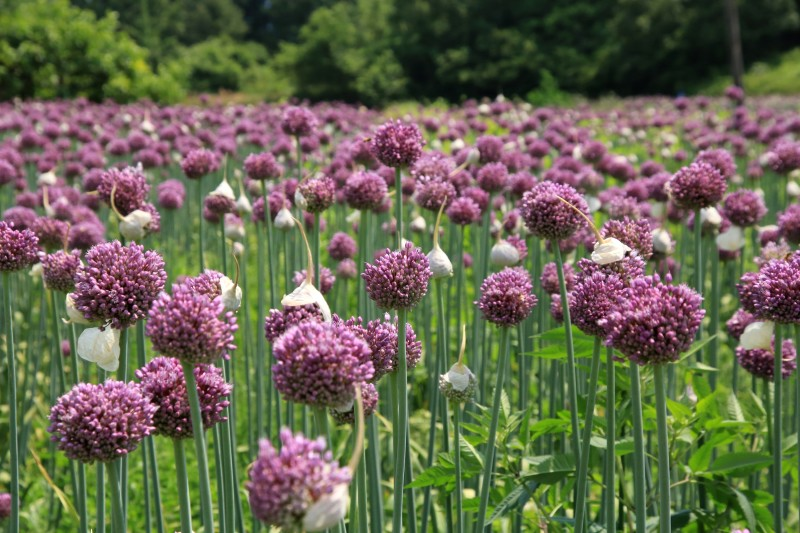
(697, 186)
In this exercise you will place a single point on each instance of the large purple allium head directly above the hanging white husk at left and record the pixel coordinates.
(118, 284)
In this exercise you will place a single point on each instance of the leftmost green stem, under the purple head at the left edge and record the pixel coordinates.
(13, 432)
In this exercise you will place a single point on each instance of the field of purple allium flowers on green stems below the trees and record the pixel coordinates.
(489, 317)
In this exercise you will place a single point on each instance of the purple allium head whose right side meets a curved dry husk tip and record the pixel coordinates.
(548, 217)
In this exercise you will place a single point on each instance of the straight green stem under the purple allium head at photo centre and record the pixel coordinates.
(402, 416)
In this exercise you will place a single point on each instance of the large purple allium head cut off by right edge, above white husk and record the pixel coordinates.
(776, 291)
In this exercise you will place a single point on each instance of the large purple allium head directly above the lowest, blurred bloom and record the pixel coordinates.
(318, 364)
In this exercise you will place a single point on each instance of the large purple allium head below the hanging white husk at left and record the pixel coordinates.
(101, 422)
